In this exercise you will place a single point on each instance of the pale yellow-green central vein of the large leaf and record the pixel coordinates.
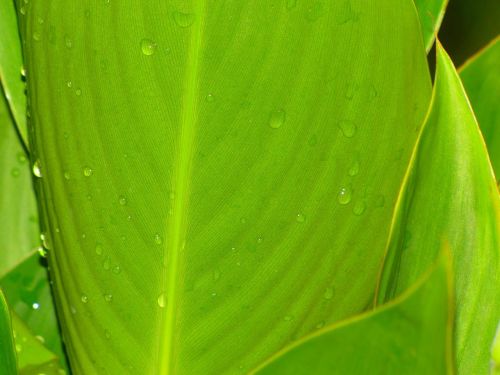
(176, 227)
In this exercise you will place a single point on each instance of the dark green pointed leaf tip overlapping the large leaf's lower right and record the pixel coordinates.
(411, 335)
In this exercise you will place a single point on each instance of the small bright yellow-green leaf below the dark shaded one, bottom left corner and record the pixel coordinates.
(32, 356)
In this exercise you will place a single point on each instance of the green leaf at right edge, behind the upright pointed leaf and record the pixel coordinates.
(481, 79)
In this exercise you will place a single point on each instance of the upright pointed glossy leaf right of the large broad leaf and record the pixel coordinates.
(450, 195)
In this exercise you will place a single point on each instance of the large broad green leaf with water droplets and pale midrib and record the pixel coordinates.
(215, 173)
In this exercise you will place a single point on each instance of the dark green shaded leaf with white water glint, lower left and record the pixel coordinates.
(27, 291)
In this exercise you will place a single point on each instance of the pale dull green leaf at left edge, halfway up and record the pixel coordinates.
(19, 232)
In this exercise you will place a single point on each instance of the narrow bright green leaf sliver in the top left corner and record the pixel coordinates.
(11, 64)
